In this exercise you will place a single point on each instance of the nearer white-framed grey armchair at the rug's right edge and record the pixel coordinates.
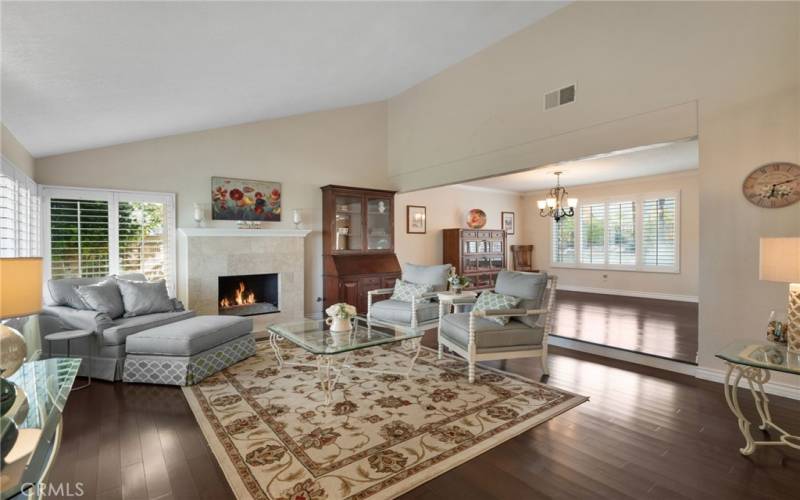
(474, 337)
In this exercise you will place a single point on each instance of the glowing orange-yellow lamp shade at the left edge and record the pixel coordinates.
(20, 286)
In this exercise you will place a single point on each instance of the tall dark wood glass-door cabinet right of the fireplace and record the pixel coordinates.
(357, 244)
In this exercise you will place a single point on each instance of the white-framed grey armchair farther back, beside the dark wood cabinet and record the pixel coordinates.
(418, 310)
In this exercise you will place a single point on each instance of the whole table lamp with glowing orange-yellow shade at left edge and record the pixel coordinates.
(20, 295)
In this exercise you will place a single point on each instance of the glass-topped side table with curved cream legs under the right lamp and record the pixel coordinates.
(754, 361)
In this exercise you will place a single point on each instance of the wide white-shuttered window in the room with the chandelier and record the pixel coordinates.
(634, 233)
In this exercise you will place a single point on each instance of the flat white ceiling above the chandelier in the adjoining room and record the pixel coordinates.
(654, 159)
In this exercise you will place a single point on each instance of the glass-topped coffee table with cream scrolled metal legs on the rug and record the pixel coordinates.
(332, 350)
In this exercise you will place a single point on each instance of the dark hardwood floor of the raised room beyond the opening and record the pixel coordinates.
(663, 328)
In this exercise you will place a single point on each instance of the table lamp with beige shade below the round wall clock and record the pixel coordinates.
(779, 260)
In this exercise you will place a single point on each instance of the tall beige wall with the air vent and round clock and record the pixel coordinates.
(645, 72)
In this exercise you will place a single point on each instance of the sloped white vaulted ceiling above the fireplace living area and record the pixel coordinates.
(84, 75)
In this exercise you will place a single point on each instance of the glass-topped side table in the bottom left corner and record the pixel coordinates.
(42, 391)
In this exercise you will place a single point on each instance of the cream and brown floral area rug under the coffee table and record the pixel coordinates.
(382, 435)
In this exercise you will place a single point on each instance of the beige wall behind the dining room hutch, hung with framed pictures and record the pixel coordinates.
(446, 208)
